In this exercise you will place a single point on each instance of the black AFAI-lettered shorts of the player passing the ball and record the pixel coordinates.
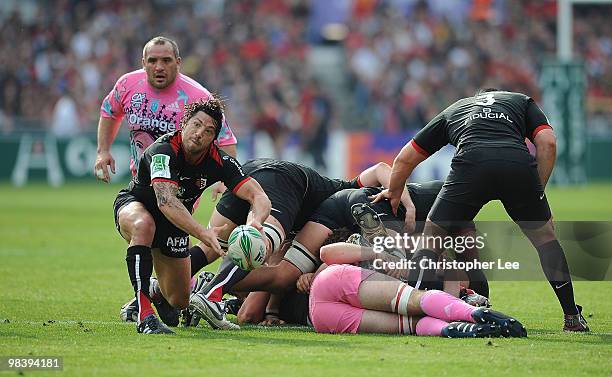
(172, 241)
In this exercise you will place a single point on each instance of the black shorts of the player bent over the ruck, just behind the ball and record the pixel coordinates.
(285, 193)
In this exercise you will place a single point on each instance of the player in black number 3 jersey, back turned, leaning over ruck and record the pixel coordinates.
(492, 162)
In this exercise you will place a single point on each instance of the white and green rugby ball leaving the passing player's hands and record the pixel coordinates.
(246, 248)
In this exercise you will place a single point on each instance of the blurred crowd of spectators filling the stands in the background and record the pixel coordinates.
(405, 60)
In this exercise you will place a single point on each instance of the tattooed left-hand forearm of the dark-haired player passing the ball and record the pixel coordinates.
(178, 215)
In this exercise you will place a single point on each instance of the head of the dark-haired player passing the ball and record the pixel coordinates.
(201, 124)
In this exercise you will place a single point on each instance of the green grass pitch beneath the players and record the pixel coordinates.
(63, 279)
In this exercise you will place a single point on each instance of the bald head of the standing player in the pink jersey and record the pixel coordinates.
(161, 61)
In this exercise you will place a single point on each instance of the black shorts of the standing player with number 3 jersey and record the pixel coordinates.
(480, 175)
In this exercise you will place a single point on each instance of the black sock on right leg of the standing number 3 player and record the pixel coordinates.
(552, 259)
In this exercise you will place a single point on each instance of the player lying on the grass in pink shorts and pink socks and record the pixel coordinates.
(350, 299)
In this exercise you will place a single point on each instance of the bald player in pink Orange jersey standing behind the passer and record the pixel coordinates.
(151, 100)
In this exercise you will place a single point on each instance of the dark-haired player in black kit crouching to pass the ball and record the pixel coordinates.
(153, 213)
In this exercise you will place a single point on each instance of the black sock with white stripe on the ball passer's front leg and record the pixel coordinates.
(140, 267)
